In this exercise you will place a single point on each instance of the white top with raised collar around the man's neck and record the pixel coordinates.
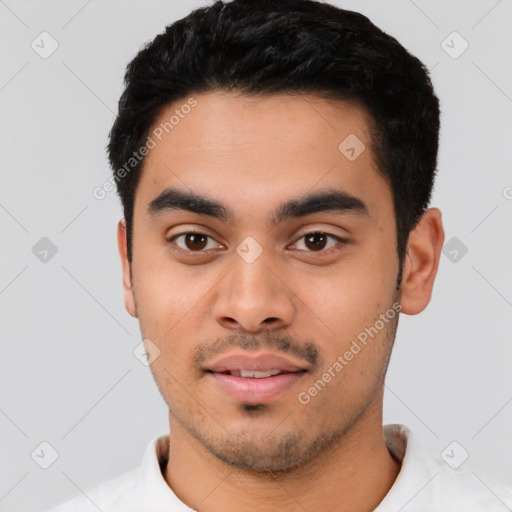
(426, 483)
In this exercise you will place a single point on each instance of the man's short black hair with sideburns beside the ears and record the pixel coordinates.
(265, 47)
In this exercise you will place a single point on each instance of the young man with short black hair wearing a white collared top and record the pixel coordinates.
(275, 161)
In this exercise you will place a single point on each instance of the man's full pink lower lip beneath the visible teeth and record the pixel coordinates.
(256, 391)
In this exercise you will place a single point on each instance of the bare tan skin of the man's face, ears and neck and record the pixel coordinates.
(252, 154)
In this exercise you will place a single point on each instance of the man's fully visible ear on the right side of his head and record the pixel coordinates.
(421, 262)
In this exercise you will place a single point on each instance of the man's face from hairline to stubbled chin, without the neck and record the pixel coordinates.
(260, 245)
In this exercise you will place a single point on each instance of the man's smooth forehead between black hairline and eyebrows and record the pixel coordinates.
(253, 151)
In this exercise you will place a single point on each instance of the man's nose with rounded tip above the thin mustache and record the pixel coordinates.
(253, 297)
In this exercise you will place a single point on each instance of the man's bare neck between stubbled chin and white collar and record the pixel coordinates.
(354, 476)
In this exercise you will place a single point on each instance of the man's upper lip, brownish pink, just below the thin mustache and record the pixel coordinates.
(262, 362)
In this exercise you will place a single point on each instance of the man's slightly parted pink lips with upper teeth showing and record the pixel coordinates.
(255, 380)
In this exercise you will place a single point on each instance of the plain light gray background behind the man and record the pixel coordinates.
(67, 369)
